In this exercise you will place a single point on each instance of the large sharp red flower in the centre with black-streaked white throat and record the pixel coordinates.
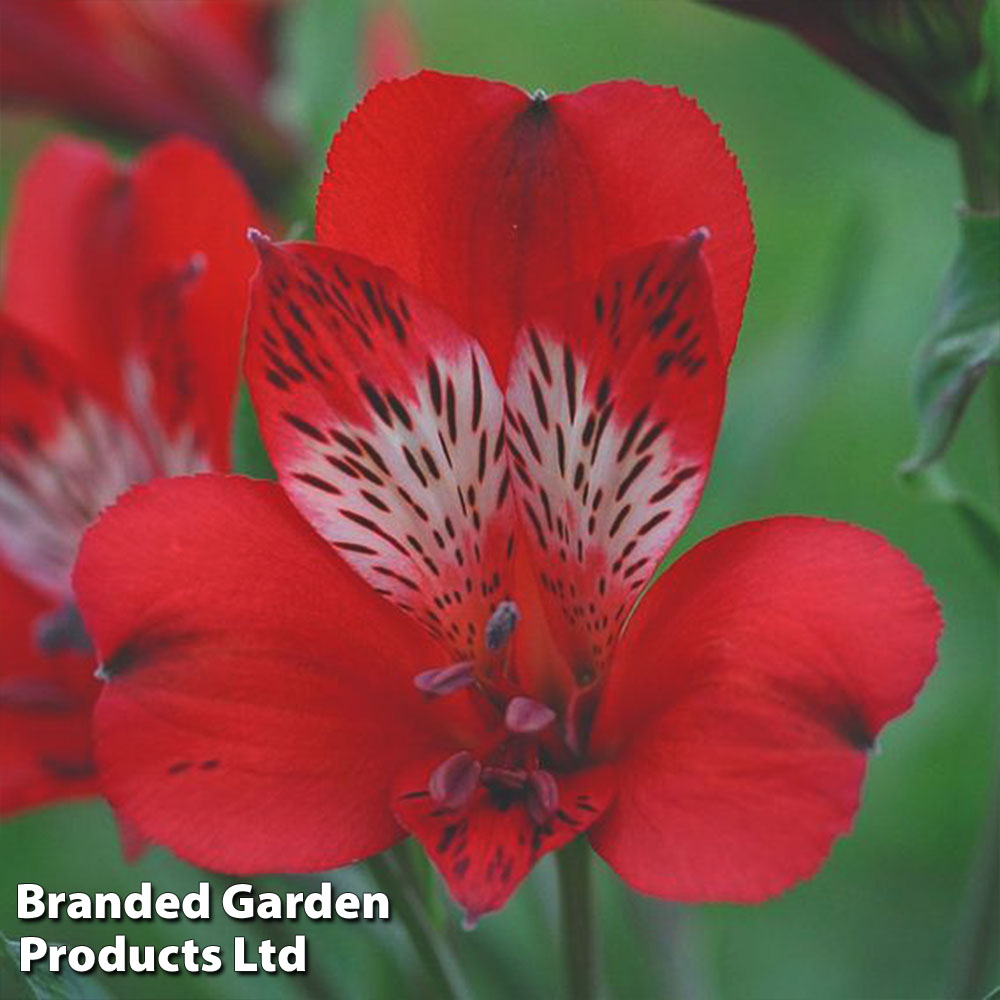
(426, 628)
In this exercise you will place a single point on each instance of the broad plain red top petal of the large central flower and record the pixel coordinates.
(489, 200)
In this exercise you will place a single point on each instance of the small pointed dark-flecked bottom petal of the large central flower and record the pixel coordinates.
(484, 850)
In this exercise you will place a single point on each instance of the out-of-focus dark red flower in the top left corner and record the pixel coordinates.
(150, 68)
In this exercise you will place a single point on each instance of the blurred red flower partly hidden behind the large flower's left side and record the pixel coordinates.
(120, 325)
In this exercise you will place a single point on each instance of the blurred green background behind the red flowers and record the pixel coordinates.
(854, 209)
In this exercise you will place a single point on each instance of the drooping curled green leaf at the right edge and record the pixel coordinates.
(965, 342)
